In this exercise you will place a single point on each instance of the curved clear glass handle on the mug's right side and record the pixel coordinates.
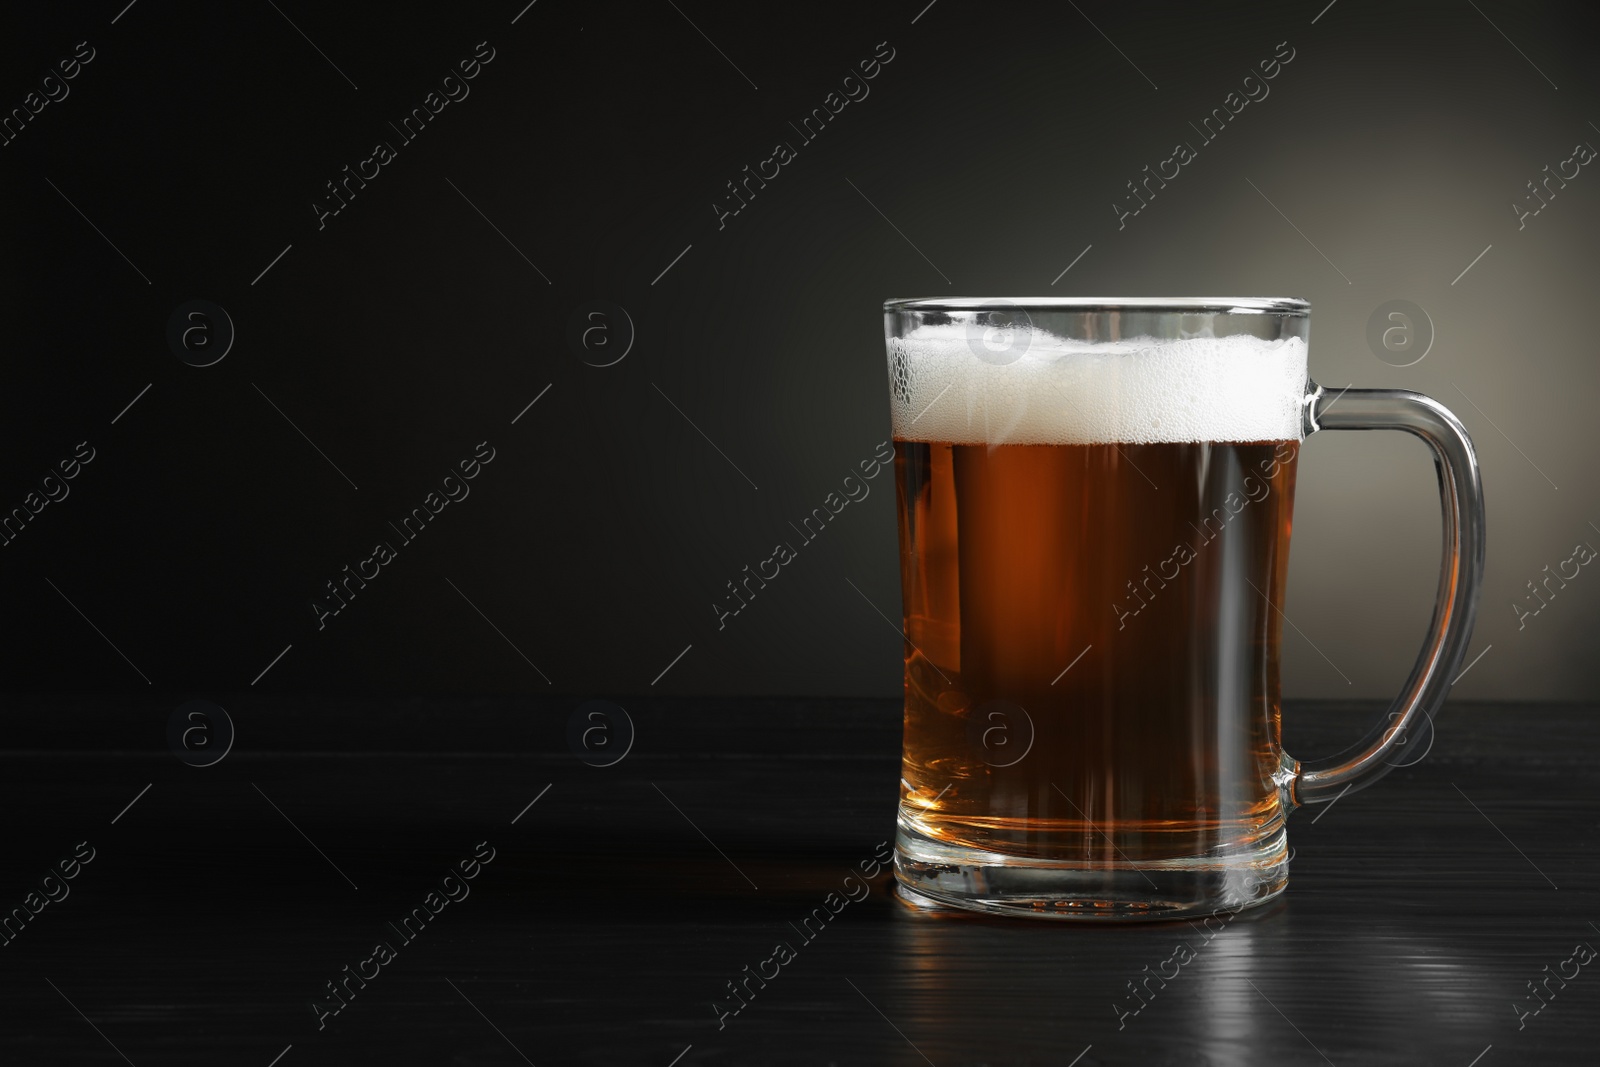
(1450, 631)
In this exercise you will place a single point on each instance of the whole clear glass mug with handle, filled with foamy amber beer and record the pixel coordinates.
(1095, 503)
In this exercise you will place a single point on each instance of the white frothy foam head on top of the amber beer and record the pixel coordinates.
(1094, 393)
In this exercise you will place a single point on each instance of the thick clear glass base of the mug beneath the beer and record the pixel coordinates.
(934, 873)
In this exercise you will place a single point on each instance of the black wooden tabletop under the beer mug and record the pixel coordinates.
(620, 903)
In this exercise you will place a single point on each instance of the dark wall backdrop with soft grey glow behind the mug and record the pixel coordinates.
(417, 326)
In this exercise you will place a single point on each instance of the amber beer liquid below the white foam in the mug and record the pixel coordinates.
(1092, 639)
